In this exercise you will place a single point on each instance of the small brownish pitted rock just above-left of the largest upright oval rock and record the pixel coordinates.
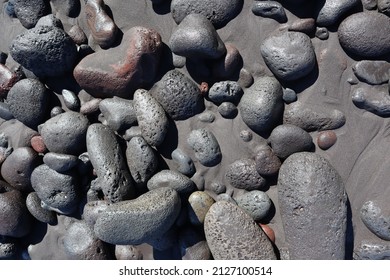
(267, 162)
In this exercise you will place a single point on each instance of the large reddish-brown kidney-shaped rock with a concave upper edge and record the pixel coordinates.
(121, 70)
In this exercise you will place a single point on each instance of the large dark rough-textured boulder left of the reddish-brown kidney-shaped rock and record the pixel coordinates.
(45, 50)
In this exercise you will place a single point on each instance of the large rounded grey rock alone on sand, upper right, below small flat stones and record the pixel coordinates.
(289, 55)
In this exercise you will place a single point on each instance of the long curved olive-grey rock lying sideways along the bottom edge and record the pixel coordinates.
(157, 209)
